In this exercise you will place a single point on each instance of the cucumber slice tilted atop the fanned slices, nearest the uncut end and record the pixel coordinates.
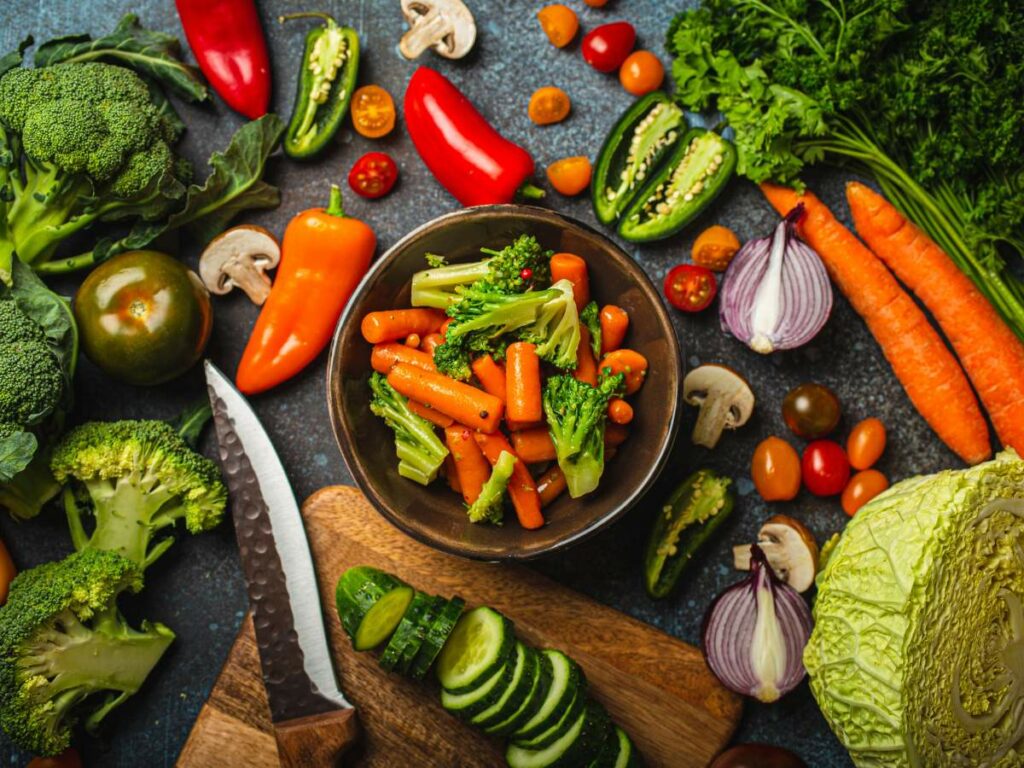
(481, 645)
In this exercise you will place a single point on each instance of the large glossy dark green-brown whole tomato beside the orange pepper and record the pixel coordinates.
(144, 318)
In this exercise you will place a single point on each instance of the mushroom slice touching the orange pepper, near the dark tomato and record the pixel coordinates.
(241, 258)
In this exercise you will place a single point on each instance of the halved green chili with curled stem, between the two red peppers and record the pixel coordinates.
(330, 65)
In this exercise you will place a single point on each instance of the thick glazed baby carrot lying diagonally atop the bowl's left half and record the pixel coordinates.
(466, 405)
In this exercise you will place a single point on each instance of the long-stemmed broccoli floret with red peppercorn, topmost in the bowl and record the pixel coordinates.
(520, 267)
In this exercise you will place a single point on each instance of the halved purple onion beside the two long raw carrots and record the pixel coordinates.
(776, 294)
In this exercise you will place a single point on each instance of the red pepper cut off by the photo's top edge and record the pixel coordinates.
(227, 38)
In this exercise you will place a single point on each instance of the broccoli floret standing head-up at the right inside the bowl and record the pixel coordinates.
(576, 415)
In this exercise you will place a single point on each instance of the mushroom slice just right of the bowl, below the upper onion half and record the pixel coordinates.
(724, 398)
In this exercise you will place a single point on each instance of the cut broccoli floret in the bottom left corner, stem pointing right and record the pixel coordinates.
(67, 654)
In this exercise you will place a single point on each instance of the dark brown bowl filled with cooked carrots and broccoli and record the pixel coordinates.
(504, 383)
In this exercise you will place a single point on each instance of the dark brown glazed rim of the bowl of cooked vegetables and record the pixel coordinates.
(342, 432)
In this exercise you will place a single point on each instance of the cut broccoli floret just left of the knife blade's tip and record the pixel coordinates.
(140, 478)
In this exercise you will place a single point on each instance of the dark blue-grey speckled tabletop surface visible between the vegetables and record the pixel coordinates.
(197, 589)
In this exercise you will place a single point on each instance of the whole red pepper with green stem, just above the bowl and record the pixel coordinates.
(466, 155)
